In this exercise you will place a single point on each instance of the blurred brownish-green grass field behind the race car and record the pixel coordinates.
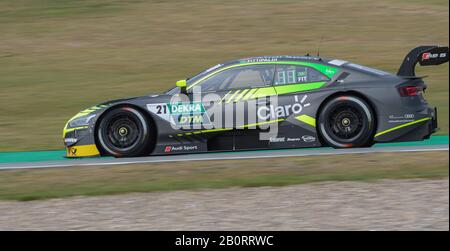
(59, 57)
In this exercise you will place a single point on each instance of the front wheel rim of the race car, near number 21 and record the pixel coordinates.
(122, 132)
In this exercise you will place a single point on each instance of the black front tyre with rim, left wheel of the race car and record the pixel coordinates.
(124, 132)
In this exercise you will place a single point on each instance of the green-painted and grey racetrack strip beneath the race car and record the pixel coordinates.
(49, 159)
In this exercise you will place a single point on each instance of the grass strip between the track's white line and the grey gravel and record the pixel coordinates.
(88, 181)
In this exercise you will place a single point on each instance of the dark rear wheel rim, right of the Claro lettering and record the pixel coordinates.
(346, 122)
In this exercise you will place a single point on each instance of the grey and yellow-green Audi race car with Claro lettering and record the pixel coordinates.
(308, 101)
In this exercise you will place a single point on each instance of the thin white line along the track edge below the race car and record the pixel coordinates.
(221, 156)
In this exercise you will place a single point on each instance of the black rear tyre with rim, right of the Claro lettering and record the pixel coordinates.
(346, 121)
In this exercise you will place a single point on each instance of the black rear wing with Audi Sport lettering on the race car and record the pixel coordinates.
(424, 55)
